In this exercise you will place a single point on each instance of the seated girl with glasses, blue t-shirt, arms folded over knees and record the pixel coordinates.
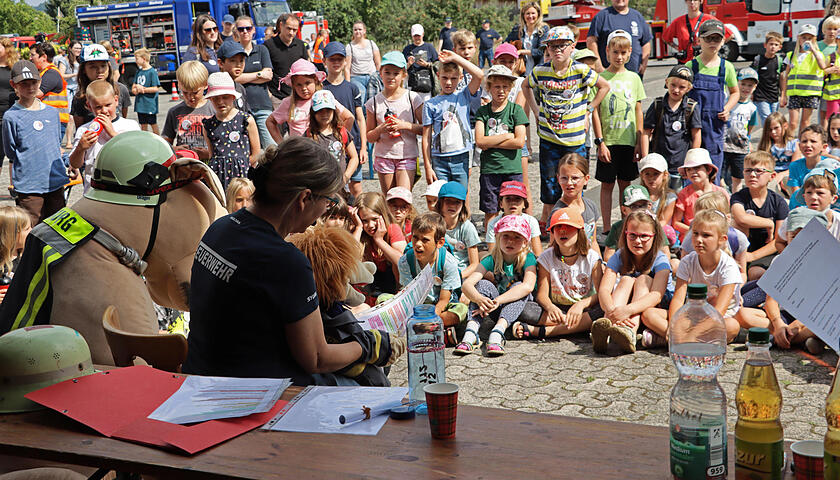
(637, 279)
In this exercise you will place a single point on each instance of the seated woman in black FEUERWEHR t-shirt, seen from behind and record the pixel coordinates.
(294, 183)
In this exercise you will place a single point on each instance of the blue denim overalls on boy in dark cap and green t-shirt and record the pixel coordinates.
(708, 91)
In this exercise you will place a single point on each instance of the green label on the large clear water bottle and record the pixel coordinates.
(698, 453)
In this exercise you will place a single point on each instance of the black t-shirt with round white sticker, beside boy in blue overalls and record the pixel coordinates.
(674, 139)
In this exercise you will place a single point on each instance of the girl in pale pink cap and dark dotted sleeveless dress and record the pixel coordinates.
(231, 135)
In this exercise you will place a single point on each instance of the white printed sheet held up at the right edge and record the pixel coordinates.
(805, 280)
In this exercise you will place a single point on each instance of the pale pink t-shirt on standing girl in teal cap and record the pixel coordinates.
(404, 146)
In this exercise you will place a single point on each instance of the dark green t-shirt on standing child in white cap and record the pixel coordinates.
(501, 160)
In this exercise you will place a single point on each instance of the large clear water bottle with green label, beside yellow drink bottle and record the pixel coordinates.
(697, 343)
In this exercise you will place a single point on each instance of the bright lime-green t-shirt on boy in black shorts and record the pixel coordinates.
(618, 108)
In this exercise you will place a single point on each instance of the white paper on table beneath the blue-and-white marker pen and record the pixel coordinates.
(317, 409)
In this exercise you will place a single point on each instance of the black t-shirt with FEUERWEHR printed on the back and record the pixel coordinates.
(247, 284)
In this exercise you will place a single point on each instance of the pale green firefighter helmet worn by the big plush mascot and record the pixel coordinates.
(132, 169)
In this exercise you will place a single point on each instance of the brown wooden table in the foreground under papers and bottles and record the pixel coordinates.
(490, 443)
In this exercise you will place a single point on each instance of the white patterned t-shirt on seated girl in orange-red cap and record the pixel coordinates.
(569, 283)
